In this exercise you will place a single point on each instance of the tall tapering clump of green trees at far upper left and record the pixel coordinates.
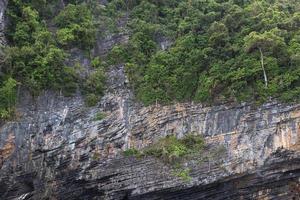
(35, 60)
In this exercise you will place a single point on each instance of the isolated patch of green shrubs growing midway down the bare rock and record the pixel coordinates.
(182, 154)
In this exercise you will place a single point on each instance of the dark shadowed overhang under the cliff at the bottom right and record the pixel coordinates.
(277, 179)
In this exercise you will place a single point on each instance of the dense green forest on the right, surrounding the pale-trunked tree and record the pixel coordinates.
(215, 56)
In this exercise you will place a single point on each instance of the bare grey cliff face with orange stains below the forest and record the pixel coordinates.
(55, 149)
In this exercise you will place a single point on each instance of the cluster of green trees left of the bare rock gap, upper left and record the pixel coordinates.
(40, 35)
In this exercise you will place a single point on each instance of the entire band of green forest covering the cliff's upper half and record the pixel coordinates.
(209, 51)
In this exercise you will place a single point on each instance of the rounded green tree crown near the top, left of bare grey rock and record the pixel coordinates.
(76, 26)
